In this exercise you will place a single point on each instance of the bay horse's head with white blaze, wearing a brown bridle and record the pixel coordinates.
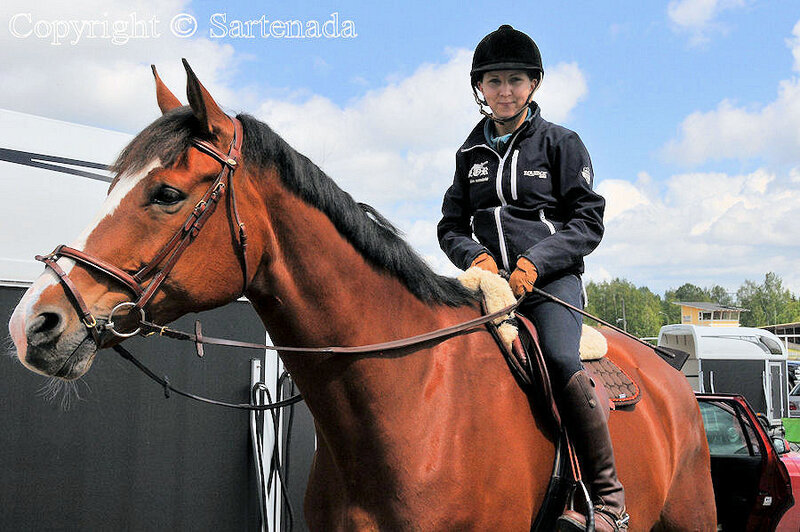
(145, 253)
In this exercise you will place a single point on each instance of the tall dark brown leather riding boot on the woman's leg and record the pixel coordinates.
(588, 429)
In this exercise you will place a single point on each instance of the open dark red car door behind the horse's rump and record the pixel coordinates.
(751, 485)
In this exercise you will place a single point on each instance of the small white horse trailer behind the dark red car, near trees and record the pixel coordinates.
(744, 360)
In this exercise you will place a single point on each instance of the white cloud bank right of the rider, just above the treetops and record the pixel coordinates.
(704, 228)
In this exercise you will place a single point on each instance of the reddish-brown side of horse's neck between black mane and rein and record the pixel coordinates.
(314, 288)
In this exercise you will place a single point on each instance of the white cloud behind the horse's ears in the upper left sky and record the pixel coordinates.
(112, 83)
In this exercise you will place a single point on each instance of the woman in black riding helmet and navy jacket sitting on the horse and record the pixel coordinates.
(523, 186)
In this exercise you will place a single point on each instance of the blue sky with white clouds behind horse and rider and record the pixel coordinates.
(690, 109)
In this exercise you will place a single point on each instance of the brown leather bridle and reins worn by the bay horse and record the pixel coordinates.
(164, 261)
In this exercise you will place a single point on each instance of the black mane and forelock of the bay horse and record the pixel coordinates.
(363, 227)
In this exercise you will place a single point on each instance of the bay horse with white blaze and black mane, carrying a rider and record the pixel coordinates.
(433, 438)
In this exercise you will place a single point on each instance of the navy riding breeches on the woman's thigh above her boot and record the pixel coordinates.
(559, 328)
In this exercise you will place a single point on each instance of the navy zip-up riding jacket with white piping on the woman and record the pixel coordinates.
(534, 199)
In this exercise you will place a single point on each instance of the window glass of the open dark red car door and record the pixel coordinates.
(725, 432)
